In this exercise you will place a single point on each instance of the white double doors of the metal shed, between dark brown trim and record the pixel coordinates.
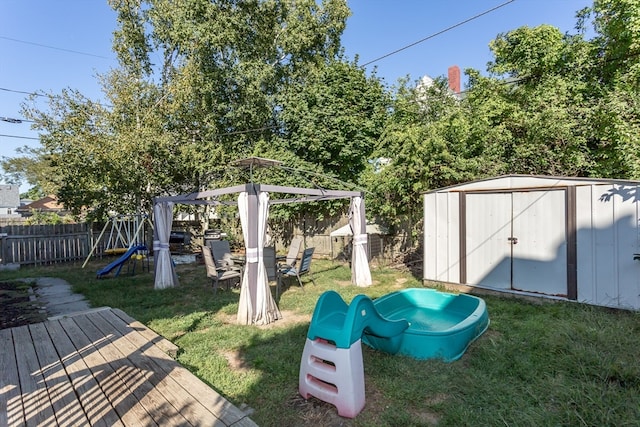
(518, 241)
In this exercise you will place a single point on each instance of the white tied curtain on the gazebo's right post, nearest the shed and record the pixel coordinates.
(360, 274)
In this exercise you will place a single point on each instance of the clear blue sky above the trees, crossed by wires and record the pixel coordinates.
(49, 45)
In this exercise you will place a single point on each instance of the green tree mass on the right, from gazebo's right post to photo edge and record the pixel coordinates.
(551, 104)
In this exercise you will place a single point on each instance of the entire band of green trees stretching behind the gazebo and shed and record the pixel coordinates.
(204, 82)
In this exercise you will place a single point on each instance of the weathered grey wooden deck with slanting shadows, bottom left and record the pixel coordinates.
(101, 368)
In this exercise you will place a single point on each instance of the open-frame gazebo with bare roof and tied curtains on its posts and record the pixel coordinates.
(256, 306)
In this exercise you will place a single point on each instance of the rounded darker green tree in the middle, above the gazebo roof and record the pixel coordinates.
(333, 117)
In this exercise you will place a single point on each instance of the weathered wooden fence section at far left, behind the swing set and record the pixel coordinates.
(45, 244)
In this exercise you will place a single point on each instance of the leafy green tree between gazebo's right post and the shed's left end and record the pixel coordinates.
(423, 147)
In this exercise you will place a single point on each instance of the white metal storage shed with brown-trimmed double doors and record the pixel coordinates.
(572, 238)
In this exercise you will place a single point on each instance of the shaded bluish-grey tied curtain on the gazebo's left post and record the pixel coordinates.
(165, 273)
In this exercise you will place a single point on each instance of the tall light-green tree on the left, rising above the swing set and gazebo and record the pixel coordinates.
(175, 126)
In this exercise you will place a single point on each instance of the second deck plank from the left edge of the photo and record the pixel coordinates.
(35, 399)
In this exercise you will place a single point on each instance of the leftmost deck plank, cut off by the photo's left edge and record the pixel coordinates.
(11, 410)
